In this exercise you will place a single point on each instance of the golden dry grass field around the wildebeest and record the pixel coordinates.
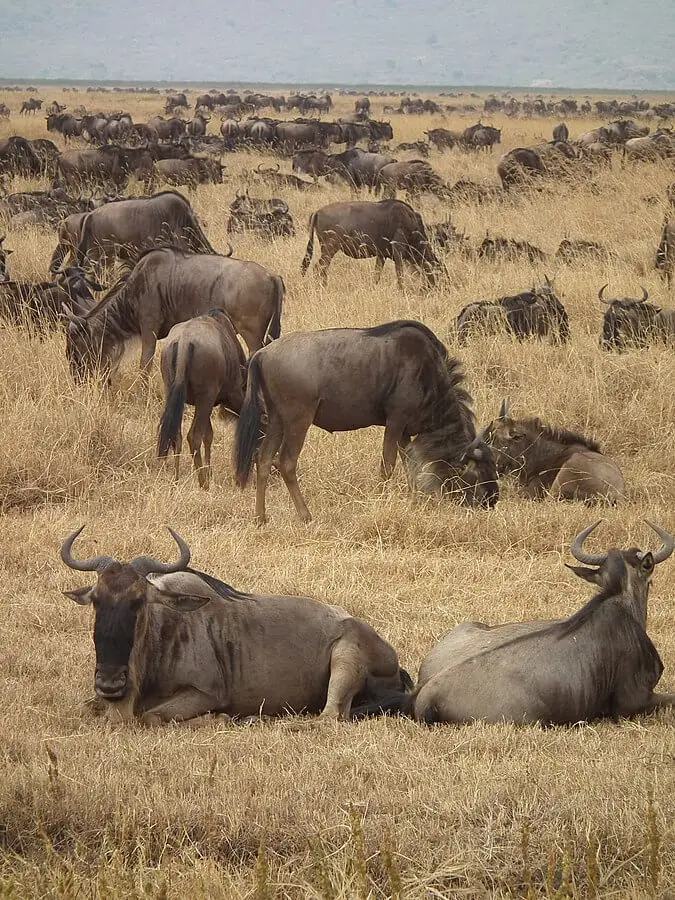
(384, 808)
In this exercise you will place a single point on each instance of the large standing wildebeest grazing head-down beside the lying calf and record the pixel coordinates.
(398, 375)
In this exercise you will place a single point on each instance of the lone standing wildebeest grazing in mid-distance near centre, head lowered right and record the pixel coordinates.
(387, 229)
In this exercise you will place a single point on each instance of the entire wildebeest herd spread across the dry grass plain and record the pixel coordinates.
(398, 374)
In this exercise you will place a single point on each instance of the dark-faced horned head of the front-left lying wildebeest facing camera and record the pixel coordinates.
(120, 593)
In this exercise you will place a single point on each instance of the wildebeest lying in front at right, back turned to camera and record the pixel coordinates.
(599, 663)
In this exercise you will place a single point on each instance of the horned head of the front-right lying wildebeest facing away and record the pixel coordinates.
(622, 572)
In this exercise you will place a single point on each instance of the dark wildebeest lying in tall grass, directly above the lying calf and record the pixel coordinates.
(536, 313)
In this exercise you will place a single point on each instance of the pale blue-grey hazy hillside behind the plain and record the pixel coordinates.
(572, 43)
